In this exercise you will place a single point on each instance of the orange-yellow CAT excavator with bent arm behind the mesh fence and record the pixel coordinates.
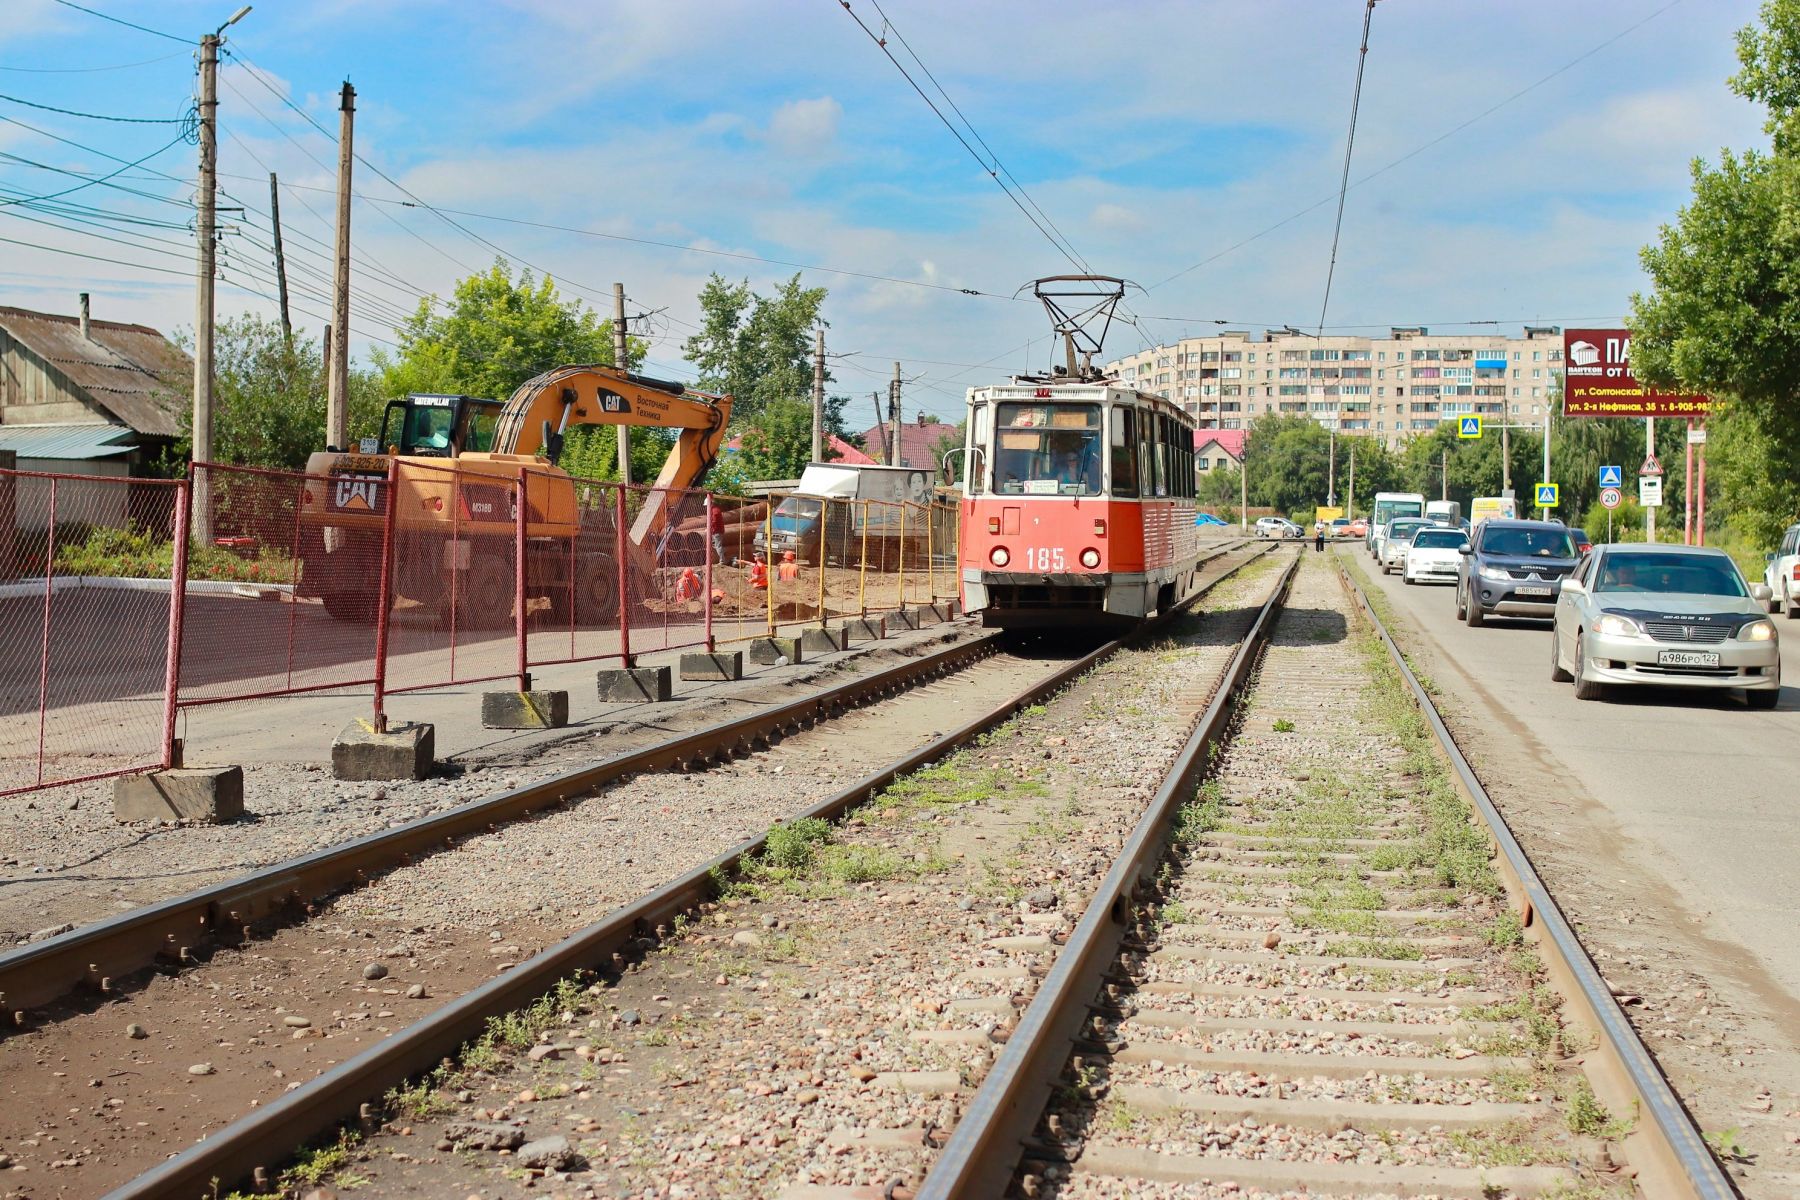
(454, 505)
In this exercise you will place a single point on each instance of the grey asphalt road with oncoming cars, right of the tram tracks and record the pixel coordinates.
(1702, 787)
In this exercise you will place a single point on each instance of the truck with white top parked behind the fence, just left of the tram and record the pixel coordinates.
(820, 519)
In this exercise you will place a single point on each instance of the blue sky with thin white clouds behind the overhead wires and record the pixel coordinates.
(1153, 134)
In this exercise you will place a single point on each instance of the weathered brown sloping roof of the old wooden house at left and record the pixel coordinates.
(132, 372)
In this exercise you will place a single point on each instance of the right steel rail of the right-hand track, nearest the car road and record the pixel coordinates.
(1668, 1149)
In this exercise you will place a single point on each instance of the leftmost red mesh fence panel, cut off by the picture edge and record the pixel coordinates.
(85, 595)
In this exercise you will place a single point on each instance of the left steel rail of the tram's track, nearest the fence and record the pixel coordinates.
(98, 954)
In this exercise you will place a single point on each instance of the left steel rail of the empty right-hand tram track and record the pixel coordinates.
(989, 1140)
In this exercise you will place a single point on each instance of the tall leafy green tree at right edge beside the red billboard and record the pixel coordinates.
(1725, 294)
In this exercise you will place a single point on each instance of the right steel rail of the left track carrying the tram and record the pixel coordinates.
(271, 1134)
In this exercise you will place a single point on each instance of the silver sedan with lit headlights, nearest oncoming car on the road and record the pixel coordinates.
(1671, 616)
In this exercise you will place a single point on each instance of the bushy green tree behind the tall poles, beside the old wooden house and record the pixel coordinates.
(269, 397)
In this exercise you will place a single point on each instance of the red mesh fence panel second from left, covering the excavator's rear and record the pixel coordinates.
(274, 604)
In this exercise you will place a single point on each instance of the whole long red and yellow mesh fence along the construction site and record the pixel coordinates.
(118, 611)
